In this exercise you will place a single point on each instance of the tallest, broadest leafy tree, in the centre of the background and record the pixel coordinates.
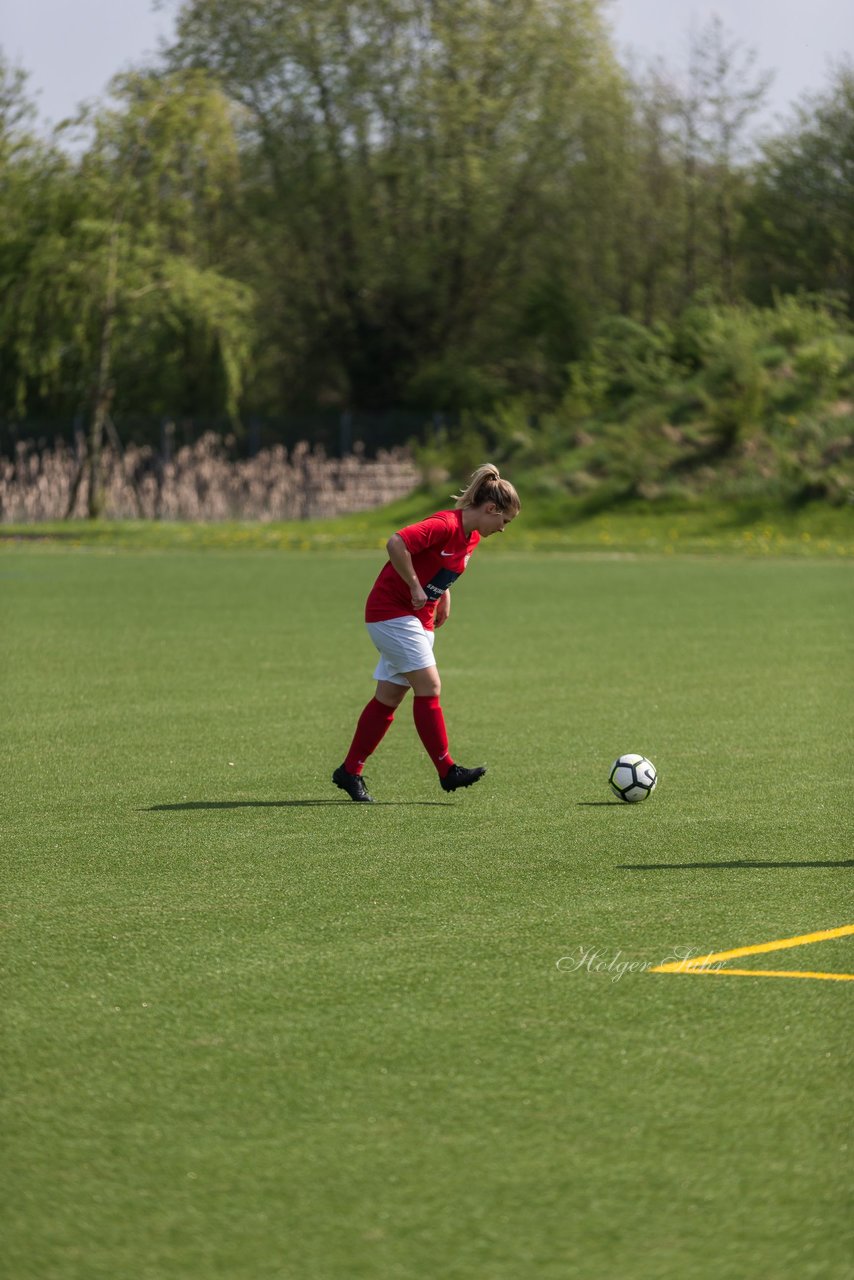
(412, 149)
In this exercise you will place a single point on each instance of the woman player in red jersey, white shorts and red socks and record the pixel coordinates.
(408, 601)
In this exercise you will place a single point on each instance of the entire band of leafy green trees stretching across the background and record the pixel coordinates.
(440, 207)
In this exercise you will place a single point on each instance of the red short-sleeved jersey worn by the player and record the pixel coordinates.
(440, 548)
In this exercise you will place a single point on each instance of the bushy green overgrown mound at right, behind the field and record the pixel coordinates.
(734, 404)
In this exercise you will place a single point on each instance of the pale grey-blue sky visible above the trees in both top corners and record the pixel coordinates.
(72, 48)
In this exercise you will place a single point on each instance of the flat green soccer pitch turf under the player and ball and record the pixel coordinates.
(257, 1032)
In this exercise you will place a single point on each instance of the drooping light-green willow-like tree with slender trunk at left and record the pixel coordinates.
(126, 260)
